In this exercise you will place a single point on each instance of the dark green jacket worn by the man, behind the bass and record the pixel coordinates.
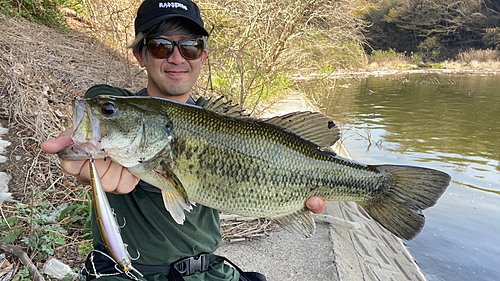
(149, 231)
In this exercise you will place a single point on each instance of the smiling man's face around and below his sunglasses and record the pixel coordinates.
(174, 76)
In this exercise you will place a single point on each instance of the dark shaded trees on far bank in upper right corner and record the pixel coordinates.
(437, 30)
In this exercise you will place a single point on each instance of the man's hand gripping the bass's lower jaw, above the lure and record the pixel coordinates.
(114, 177)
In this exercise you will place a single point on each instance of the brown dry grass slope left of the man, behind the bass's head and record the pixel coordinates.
(41, 72)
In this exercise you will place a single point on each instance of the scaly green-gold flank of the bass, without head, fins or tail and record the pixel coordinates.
(261, 167)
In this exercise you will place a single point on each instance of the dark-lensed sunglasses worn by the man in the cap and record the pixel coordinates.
(162, 48)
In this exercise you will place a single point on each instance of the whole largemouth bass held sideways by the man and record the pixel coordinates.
(217, 157)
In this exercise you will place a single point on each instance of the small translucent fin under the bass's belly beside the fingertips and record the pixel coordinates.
(300, 222)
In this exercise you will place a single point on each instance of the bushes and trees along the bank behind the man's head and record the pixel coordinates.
(256, 47)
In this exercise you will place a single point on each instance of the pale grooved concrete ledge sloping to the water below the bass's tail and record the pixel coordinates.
(372, 253)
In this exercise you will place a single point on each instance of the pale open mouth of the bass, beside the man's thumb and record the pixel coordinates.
(86, 125)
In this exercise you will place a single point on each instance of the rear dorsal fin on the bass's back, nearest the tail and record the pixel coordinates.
(312, 126)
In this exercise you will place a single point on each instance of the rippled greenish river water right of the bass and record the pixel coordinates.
(445, 122)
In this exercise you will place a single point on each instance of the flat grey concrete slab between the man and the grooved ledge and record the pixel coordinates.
(285, 256)
